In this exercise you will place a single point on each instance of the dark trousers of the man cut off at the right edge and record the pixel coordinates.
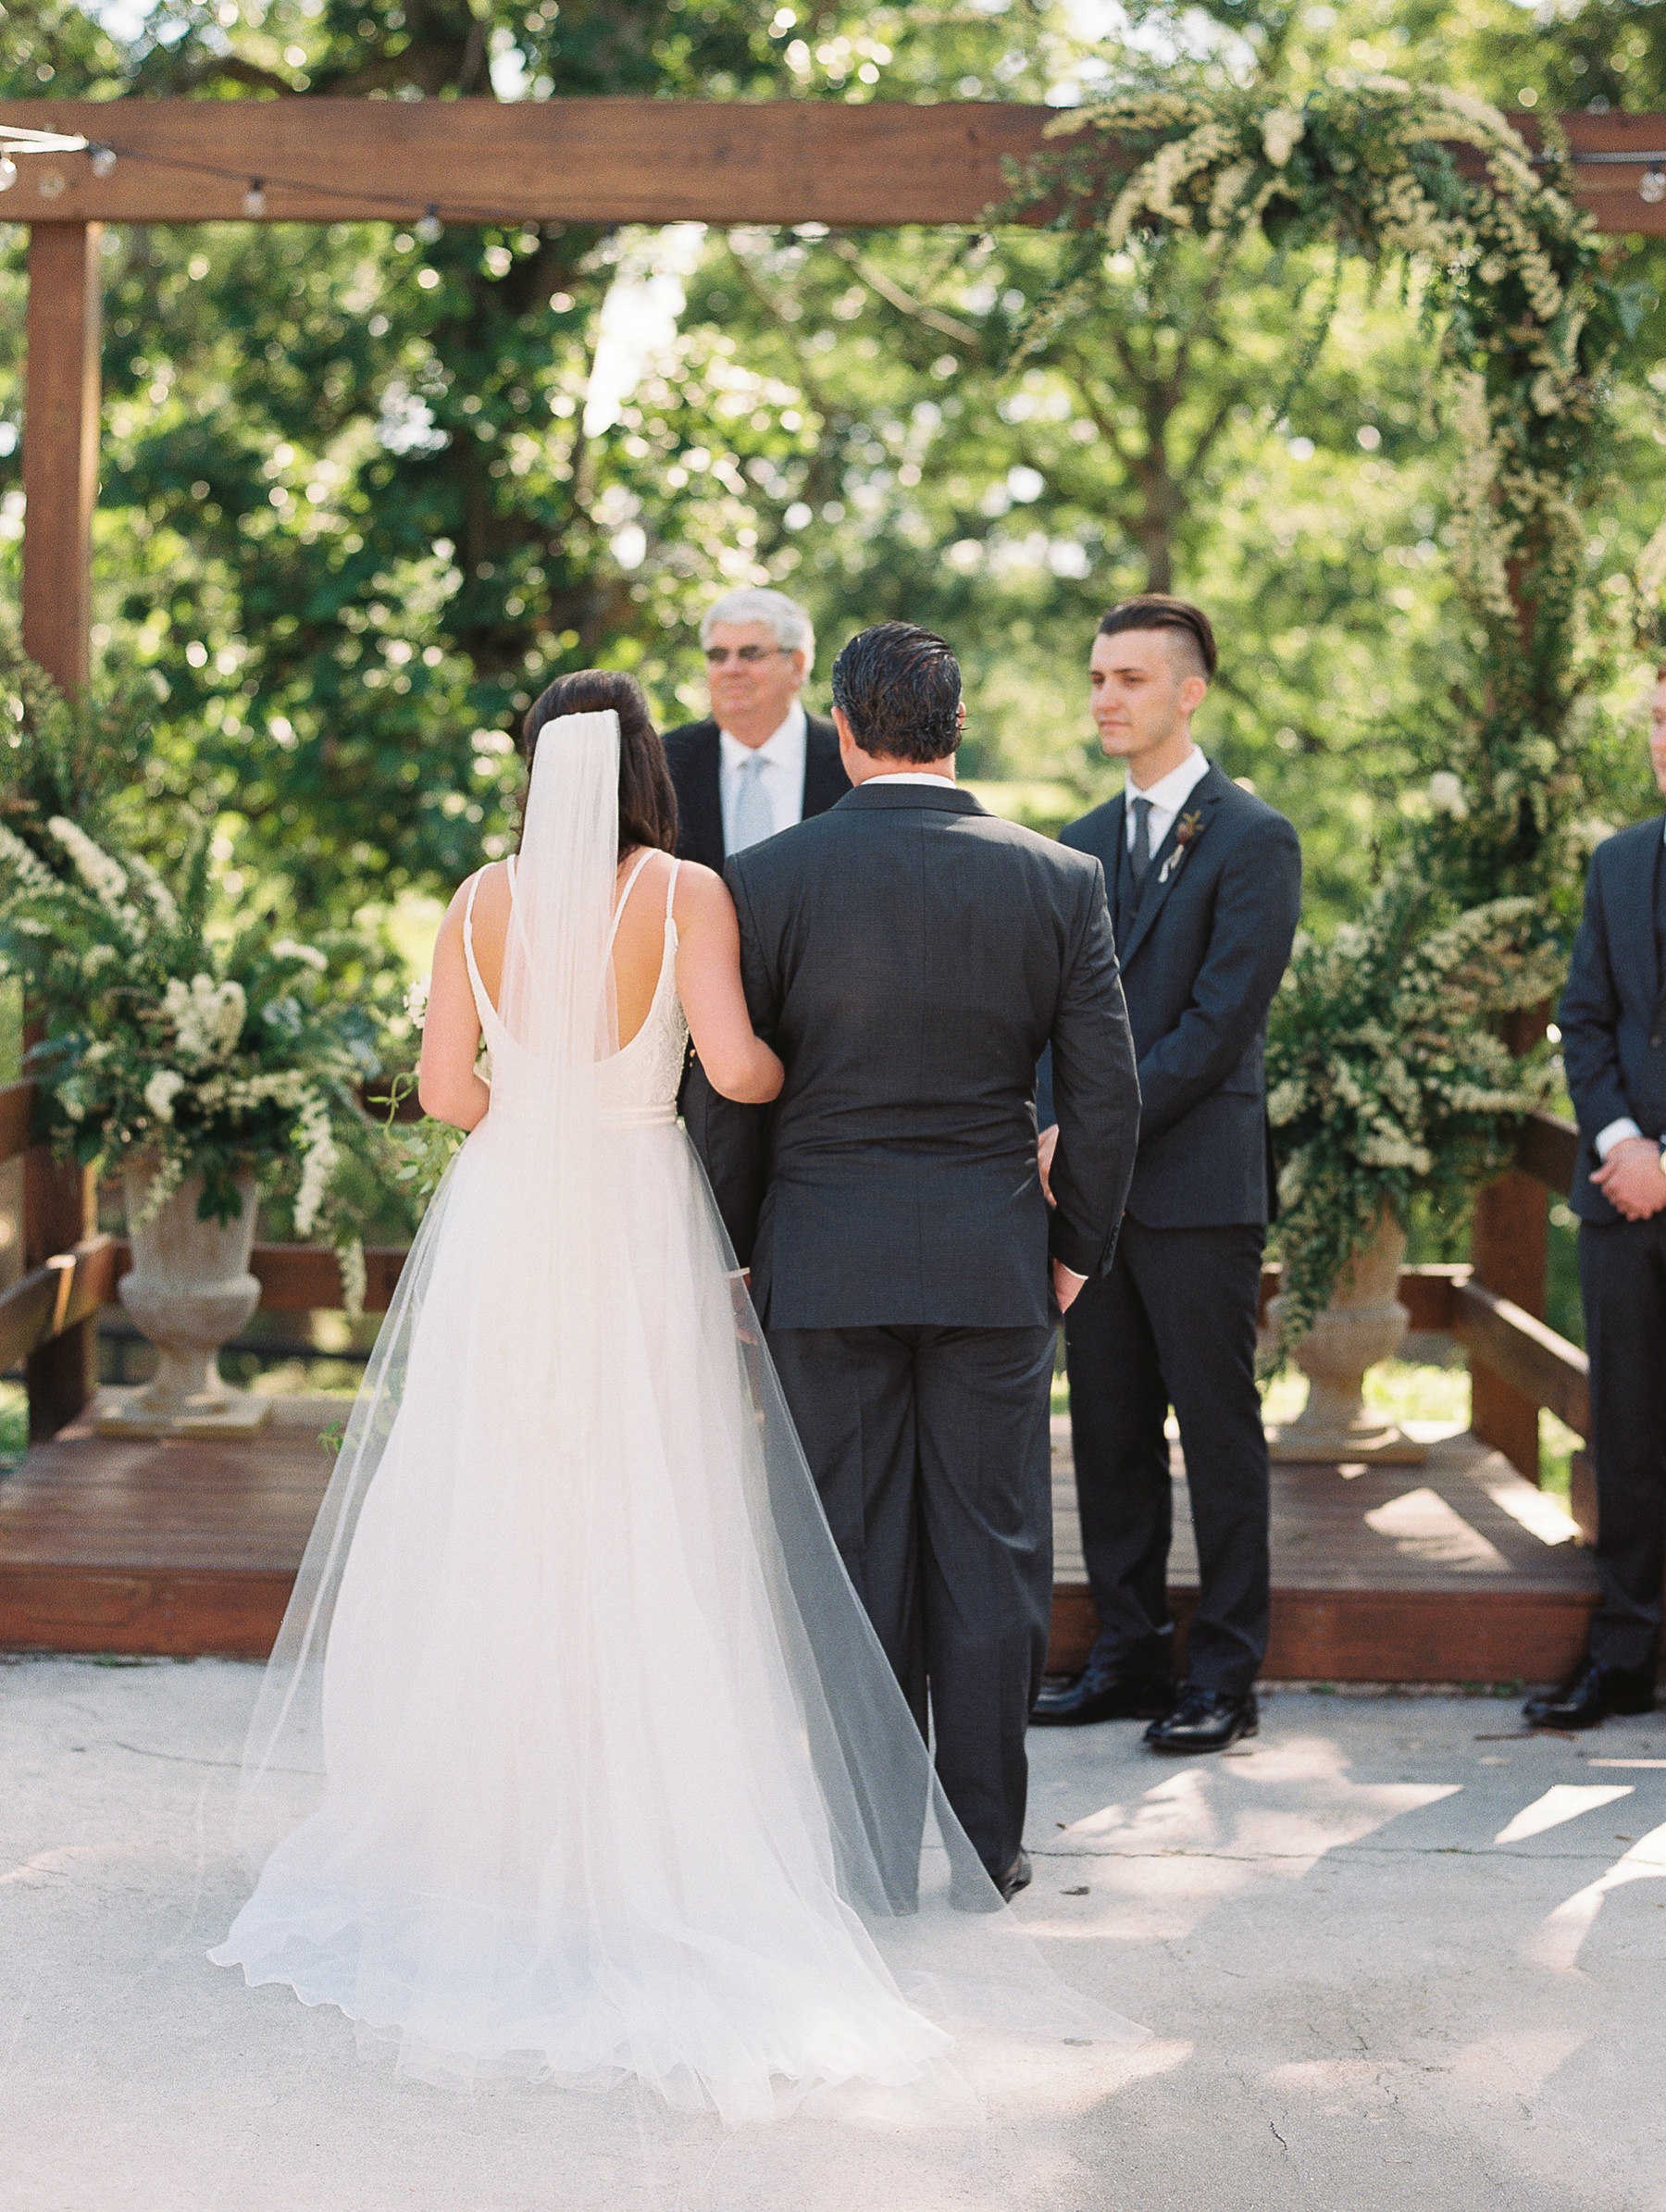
(1623, 1284)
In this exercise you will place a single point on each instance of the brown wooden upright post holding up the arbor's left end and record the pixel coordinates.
(61, 488)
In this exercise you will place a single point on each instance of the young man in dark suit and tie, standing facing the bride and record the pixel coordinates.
(1205, 890)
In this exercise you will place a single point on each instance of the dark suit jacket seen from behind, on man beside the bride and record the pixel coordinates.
(910, 954)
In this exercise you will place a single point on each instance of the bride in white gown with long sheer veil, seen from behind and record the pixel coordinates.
(576, 1755)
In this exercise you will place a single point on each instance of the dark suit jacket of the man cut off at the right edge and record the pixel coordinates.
(1614, 1010)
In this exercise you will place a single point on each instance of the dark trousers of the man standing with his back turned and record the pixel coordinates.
(930, 1448)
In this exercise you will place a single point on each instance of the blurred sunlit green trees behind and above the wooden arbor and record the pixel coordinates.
(368, 490)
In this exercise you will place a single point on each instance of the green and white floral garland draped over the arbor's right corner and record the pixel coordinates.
(1386, 1063)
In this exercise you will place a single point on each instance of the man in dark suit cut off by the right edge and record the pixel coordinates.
(1614, 1050)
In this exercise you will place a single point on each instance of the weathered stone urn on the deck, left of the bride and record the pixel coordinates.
(189, 1293)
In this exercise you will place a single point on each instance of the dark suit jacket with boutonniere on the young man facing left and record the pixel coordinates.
(1200, 968)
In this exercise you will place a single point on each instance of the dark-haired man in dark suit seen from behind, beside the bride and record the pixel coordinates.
(910, 957)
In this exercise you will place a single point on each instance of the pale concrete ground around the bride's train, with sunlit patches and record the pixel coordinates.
(1395, 1957)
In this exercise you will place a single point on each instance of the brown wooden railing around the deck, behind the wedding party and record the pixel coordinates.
(61, 1293)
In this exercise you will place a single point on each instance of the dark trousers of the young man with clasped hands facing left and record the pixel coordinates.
(1174, 1324)
